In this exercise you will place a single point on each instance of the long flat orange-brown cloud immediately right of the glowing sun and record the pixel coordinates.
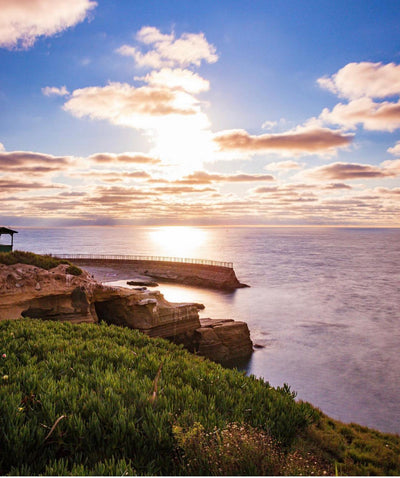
(302, 140)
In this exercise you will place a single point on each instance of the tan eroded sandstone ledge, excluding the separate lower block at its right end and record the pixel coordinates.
(29, 291)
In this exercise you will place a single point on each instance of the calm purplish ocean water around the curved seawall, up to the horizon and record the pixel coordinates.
(324, 303)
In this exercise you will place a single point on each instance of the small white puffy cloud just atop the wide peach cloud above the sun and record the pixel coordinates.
(176, 79)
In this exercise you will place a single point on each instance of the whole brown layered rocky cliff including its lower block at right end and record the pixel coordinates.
(29, 291)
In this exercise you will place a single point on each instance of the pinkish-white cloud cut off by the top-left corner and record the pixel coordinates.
(23, 21)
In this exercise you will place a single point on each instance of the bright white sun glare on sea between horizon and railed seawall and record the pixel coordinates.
(180, 241)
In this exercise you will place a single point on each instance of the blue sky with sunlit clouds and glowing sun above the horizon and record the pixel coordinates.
(181, 112)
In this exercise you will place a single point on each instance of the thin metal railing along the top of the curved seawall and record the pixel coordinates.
(119, 257)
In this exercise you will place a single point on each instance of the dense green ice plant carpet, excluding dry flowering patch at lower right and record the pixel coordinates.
(83, 396)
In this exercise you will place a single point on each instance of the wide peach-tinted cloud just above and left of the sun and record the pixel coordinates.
(125, 105)
